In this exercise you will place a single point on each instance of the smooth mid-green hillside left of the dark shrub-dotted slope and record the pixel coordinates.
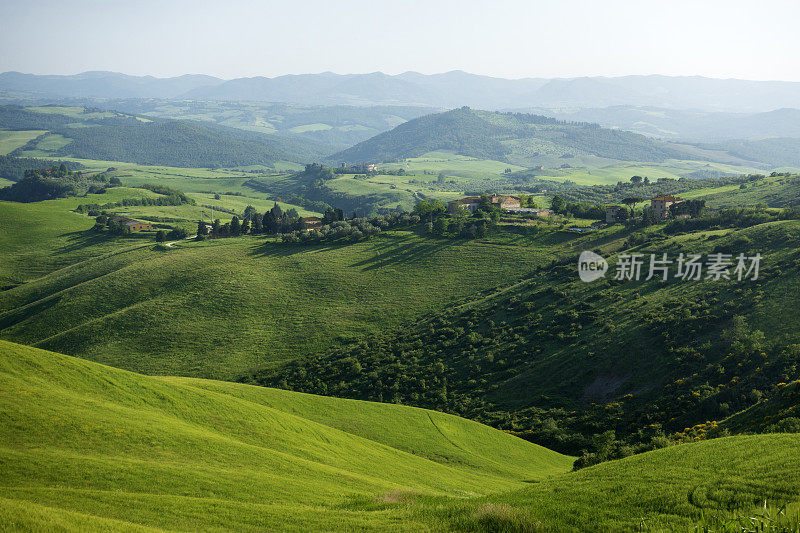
(221, 307)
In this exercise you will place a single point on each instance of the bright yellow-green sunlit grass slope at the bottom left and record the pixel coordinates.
(88, 446)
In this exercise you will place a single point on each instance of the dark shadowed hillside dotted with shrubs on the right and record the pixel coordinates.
(561, 360)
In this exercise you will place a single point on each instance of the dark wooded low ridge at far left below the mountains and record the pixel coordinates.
(105, 135)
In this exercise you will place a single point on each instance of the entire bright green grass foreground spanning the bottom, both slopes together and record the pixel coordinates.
(86, 446)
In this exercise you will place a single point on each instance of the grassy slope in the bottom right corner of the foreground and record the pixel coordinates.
(673, 489)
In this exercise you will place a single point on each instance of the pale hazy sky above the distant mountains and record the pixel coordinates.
(506, 38)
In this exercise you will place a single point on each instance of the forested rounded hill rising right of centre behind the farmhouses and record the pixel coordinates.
(517, 138)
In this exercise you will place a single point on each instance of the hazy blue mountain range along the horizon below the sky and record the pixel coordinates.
(447, 90)
